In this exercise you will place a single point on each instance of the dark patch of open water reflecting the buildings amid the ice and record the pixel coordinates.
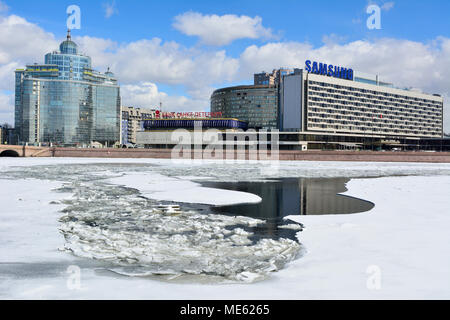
(290, 196)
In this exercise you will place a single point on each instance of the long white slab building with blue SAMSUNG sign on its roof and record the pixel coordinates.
(323, 100)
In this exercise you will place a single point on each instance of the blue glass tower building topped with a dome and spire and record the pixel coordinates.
(65, 102)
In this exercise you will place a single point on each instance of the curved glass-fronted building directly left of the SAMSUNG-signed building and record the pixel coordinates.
(256, 105)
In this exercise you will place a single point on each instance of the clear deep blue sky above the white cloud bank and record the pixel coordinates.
(295, 20)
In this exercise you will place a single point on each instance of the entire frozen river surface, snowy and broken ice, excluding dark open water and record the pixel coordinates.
(97, 214)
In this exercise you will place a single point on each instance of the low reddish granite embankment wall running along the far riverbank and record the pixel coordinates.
(310, 155)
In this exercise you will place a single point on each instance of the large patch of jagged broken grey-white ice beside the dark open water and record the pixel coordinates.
(138, 236)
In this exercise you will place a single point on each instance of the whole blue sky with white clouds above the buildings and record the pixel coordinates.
(179, 52)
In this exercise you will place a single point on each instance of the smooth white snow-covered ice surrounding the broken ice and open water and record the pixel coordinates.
(405, 237)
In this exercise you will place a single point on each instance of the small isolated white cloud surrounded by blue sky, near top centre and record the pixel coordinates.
(221, 30)
